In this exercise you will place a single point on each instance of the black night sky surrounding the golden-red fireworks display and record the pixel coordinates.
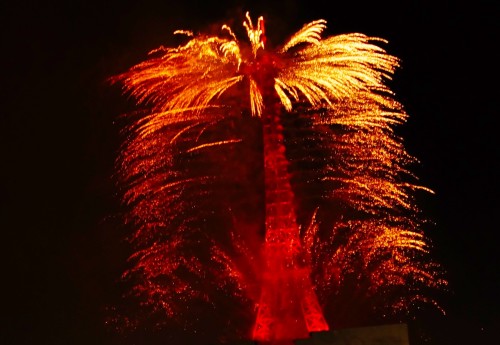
(59, 139)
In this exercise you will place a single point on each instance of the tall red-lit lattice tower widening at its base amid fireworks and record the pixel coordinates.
(288, 307)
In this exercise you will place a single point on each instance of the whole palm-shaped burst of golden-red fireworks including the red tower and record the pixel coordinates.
(340, 228)
